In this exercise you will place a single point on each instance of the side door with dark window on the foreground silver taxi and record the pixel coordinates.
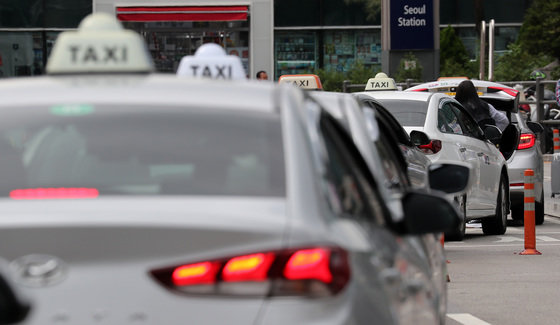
(354, 193)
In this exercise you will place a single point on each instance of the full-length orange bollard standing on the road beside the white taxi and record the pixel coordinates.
(529, 215)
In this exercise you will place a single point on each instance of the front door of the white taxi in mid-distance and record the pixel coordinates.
(487, 154)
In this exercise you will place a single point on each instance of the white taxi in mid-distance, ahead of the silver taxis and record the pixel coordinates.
(454, 136)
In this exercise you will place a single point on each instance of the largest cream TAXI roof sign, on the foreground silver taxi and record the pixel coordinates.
(100, 45)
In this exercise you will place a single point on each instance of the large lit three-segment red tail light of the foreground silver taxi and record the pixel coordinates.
(314, 272)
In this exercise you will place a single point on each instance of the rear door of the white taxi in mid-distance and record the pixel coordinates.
(456, 145)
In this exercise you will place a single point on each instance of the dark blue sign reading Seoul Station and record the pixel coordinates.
(412, 24)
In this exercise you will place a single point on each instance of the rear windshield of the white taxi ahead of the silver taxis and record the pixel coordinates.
(407, 112)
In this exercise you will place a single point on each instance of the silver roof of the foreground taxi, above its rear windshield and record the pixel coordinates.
(150, 89)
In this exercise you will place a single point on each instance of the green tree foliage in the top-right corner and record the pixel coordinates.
(540, 32)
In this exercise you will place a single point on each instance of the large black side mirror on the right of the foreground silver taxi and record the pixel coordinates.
(426, 213)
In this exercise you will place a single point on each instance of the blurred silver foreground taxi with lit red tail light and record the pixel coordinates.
(134, 197)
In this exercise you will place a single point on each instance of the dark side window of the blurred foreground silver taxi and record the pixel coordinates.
(351, 189)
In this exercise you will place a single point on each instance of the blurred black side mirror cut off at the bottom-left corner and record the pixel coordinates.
(13, 308)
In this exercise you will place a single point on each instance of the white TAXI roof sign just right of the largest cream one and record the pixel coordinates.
(211, 61)
